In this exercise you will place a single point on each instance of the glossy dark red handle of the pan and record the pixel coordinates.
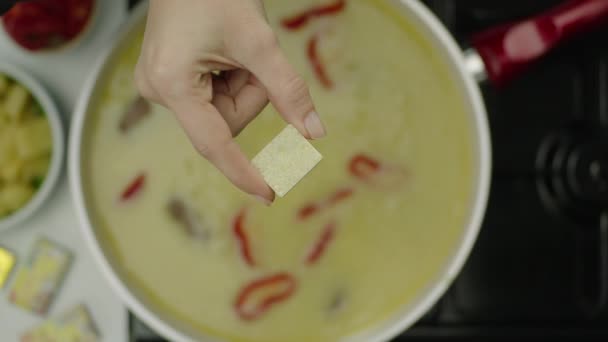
(509, 49)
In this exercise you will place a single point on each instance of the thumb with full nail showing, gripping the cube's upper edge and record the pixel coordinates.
(287, 91)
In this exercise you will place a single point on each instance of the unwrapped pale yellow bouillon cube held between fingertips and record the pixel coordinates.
(286, 160)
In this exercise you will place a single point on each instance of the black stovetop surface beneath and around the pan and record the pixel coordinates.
(539, 268)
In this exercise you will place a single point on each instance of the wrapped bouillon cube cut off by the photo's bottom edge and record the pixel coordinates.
(76, 325)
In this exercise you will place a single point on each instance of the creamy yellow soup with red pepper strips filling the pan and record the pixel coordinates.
(173, 239)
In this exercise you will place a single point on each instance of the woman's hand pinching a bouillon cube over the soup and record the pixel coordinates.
(185, 42)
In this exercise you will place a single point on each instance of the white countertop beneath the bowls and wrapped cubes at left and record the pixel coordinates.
(63, 74)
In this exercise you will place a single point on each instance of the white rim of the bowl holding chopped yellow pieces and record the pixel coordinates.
(52, 175)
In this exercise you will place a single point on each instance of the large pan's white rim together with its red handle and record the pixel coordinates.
(497, 55)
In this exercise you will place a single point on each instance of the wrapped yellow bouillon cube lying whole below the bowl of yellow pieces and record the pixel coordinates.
(39, 279)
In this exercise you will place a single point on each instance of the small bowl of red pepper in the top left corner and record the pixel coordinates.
(47, 25)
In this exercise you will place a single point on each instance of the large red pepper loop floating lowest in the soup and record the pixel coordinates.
(285, 285)
